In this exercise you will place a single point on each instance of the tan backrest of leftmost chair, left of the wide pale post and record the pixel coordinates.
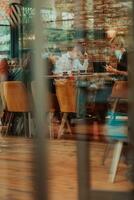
(16, 96)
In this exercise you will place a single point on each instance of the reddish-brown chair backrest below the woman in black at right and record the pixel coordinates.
(120, 90)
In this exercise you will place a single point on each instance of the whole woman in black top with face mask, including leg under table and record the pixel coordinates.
(119, 69)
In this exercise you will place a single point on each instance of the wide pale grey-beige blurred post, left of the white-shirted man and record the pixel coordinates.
(41, 155)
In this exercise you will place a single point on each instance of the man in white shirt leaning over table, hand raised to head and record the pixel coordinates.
(71, 61)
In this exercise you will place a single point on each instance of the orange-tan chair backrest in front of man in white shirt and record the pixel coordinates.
(66, 95)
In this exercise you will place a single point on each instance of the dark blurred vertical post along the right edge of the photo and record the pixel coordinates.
(131, 97)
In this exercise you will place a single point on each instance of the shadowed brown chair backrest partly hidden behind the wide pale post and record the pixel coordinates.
(52, 99)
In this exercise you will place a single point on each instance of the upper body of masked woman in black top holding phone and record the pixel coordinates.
(118, 48)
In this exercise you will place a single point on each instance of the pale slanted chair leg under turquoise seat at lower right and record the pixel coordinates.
(115, 161)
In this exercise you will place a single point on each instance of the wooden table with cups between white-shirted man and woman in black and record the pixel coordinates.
(86, 84)
